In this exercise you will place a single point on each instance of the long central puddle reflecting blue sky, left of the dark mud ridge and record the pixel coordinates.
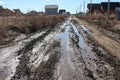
(67, 69)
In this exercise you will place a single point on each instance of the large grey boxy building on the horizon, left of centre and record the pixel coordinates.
(51, 9)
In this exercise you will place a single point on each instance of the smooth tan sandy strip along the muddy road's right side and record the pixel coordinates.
(108, 43)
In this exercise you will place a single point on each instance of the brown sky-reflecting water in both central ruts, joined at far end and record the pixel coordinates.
(67, 68)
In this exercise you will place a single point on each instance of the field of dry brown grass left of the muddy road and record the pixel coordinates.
(10, 27)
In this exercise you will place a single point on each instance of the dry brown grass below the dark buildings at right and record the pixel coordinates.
(101, 22)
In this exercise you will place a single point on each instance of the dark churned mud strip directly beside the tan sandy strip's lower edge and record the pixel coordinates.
(107, 57)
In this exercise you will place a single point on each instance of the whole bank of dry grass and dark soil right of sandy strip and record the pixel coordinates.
(110, 28)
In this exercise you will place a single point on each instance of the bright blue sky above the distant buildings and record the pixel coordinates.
(38, 5)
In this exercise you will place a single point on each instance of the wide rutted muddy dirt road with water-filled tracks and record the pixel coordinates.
(67, 52)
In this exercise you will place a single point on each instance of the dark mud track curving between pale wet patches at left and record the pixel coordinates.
(22, 69)
